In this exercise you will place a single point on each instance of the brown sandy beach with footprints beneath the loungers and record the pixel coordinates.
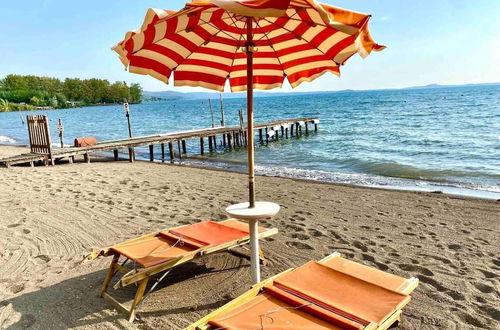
(51, 216)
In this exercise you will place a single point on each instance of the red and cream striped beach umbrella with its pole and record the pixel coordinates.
(247, 45)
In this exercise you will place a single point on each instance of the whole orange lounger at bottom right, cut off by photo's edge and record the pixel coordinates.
(333, 293)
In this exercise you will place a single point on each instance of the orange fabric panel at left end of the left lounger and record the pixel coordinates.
(151, 251)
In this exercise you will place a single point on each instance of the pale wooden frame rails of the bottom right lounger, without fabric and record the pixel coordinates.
(256, 289)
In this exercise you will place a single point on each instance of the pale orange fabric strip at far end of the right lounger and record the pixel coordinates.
(368, 274)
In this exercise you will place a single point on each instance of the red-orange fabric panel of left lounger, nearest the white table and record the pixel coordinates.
(209, 233)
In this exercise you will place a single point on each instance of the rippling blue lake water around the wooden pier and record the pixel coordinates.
(445, 139)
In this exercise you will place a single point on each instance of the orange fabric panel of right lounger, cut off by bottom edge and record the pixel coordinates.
(266, 311)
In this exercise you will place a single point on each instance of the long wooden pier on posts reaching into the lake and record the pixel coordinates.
(232, 137)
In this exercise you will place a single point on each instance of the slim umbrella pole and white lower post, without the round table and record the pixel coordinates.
(254, 223)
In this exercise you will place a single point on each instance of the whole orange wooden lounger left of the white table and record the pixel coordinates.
(161, 251)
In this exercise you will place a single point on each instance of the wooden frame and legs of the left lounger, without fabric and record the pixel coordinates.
(141, 275)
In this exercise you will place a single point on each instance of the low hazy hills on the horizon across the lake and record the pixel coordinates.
(172, 95)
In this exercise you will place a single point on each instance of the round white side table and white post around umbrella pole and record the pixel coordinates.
(260, 211)
